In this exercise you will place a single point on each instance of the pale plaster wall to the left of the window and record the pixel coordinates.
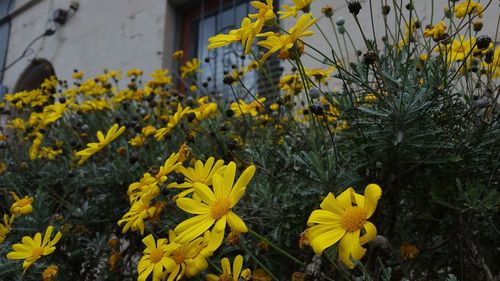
(113, 34)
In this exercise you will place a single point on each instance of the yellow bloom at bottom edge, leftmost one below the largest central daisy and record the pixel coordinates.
(155, 259)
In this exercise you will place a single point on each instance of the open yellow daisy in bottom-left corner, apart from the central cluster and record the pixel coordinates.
(31, 249)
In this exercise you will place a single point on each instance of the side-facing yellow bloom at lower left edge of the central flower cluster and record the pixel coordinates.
(139, 211)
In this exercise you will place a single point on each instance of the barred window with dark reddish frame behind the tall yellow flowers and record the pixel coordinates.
(208, 18)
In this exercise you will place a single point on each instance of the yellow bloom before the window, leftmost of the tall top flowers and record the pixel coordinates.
(245, 34)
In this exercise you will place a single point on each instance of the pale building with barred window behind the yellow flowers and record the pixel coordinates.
(40, 38)
